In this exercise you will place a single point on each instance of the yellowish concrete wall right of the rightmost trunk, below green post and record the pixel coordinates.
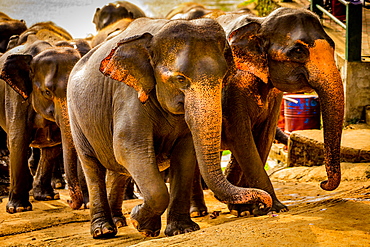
(356, 81)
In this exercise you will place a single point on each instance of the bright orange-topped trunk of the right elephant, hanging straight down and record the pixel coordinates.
(328, 85)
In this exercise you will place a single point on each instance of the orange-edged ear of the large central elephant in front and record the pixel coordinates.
(130, 62)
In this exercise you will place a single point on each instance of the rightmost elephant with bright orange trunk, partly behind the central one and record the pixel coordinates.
(287, 51)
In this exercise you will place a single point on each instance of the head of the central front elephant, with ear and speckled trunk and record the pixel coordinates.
(185, 63)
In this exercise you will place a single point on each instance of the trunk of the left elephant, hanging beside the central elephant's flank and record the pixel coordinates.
(69, 157)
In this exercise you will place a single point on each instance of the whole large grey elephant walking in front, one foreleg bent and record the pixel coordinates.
(159, 89)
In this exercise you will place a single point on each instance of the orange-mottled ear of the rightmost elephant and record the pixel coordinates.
(248, 51)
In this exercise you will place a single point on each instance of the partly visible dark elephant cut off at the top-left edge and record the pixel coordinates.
(8, 28)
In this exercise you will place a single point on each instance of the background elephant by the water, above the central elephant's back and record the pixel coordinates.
(112, 12)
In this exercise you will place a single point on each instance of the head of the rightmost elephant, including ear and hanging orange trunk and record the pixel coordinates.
(290, 50)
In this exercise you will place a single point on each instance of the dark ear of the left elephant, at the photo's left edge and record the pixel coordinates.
(16, 73)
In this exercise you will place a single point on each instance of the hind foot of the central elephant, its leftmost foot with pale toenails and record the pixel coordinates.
(102, 227)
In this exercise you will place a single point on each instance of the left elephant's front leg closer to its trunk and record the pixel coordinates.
(42, 187)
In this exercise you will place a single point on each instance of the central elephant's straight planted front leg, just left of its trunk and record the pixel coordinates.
(182, 169)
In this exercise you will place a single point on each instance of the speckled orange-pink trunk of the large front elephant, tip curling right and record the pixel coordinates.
(203, 115)
